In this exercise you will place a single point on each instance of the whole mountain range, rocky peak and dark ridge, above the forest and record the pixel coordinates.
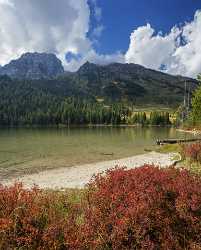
(115, 82)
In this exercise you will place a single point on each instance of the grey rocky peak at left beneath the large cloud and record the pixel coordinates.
(33, 66)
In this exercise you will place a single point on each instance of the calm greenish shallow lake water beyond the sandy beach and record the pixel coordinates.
(29, 150)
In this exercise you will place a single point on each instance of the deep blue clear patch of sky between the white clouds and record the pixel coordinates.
(121, 17)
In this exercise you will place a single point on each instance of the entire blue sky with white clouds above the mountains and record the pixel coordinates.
(158, 34)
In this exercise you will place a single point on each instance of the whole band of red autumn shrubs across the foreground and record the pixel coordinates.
(142, 208)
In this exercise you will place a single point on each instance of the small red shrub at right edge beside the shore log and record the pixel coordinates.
(192, 151)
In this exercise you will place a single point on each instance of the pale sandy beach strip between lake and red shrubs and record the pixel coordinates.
(78, 176)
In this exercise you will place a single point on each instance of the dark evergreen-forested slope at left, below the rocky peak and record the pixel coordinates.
(24, 103)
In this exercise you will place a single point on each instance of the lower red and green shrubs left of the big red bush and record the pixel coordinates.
(32, 219)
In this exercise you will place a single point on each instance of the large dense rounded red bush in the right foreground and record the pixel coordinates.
(144, 208)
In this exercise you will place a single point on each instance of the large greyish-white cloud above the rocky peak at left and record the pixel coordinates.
(43, 26)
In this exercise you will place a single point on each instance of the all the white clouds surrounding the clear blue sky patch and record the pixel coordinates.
(62, 26)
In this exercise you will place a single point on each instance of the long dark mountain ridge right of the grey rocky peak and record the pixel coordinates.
(132, 82)
